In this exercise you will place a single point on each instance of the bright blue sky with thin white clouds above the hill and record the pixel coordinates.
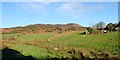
(83, 13)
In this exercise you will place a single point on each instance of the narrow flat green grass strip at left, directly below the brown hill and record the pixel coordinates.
(29, 37)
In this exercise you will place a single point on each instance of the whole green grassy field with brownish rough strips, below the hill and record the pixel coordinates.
(103, 43)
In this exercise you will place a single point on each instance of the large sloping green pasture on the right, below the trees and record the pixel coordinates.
(108, 41)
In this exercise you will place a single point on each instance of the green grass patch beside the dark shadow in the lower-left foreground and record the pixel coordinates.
(30, 50)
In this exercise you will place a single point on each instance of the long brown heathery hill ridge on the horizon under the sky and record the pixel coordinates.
(37, 28)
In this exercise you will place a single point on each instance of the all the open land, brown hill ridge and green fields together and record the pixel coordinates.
(59, 41)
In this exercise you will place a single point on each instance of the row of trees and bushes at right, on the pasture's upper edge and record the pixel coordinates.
(101, 27)
